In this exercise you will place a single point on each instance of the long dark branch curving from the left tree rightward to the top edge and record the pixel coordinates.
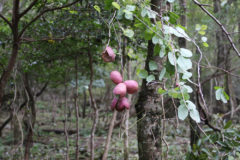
(43, 12)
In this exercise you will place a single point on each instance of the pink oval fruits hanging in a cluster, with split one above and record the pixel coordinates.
(120, 102)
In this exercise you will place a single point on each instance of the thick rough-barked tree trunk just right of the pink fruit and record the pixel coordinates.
(149, 111)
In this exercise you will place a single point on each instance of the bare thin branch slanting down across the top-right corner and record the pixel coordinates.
(220, 24)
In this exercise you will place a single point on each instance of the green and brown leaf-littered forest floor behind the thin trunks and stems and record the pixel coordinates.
(50, 141)
